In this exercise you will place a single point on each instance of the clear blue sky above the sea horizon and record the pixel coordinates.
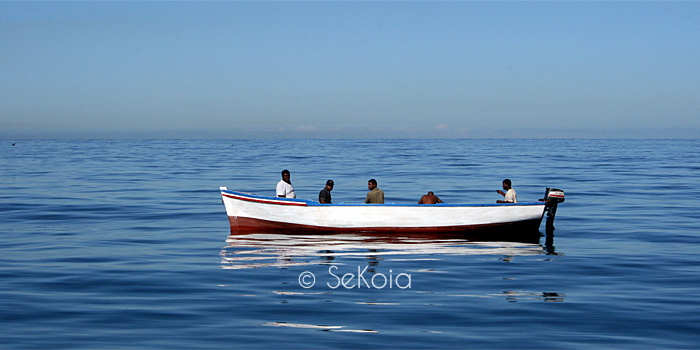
(349, 69)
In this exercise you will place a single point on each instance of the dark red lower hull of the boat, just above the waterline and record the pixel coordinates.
(521, 231)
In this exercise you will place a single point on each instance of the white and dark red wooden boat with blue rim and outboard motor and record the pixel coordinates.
(251, 213)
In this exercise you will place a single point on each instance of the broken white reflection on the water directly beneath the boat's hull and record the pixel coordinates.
(259, 250)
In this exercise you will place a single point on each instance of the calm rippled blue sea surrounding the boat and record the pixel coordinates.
(125, 244)
